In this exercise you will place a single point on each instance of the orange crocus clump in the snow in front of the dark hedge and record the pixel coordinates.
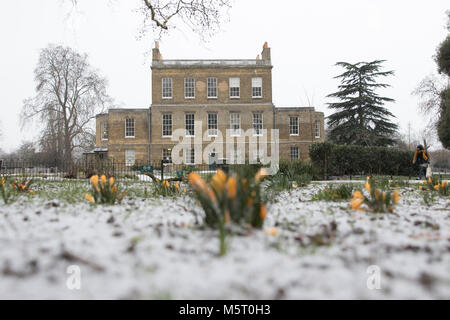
(377, 201)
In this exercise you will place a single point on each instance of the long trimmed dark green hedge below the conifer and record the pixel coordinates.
(337, 160)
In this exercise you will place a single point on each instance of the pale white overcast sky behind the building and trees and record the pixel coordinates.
(307, 38)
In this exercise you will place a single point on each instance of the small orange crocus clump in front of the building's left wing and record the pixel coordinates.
(104, 191)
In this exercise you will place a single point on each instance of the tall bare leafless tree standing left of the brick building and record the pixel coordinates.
(69, 93)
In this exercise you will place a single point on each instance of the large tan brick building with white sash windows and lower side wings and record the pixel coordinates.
(226, 101)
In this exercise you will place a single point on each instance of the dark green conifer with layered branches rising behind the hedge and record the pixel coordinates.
(360, 117)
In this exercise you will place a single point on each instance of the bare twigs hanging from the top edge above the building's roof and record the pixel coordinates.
(203, 17)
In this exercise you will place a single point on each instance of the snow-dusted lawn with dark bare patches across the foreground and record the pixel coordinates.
(149, 248)
